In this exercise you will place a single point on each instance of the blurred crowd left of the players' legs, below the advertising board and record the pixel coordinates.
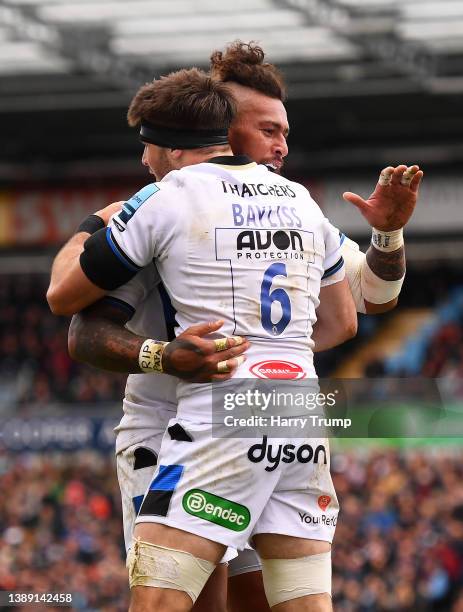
(60, 527)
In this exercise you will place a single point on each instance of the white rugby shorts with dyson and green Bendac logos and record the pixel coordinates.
(229, 489)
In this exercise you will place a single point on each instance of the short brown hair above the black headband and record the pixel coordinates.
(186, 99)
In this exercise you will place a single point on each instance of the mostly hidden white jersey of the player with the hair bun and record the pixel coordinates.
(147, 397)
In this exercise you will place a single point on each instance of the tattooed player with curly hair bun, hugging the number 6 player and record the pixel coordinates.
(98, 335)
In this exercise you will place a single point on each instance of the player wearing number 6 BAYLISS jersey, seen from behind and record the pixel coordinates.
(193, 227)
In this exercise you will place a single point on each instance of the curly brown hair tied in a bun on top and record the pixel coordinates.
(243, 63)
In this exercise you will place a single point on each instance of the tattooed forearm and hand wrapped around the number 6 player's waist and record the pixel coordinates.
(97, 336)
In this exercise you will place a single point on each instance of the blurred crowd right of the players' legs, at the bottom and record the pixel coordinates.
(399, 538)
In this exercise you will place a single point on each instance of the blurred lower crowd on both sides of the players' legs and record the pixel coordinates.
(398, 544)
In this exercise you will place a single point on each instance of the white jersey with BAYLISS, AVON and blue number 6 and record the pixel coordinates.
(231, 240)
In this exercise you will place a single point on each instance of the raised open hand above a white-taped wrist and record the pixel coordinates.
(393, 201)
